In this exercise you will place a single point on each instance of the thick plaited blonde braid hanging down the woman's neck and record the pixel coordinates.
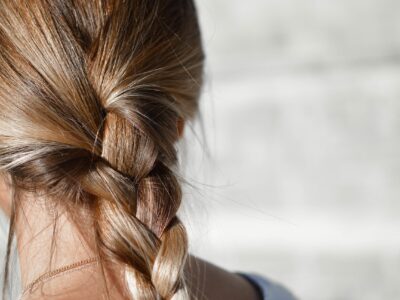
(147, 236)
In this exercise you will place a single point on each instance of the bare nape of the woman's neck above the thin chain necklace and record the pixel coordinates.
(48, 240)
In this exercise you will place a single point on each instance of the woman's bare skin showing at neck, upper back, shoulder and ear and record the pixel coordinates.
(34, 232)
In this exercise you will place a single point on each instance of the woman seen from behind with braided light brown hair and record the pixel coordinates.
(93, 97)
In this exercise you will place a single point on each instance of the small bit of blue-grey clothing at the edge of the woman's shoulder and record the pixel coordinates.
(268, 289)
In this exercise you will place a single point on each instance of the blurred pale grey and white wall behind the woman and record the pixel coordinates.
(301, 115)
